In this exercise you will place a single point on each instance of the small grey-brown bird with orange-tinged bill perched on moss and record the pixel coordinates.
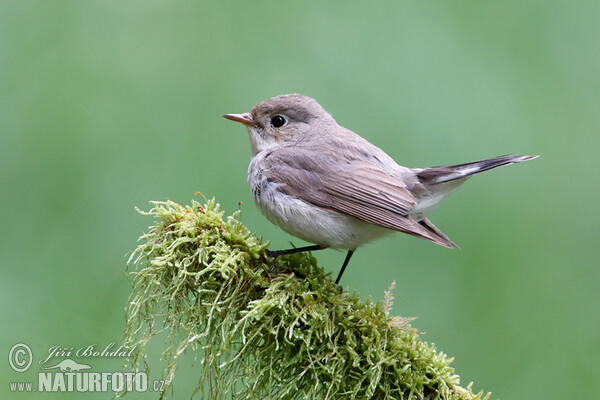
(325, 184)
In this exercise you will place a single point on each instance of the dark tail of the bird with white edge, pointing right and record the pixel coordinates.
(448, 173)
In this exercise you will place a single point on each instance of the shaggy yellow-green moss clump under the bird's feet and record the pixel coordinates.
(285, 334)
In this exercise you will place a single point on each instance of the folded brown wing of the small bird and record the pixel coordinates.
(356, 188)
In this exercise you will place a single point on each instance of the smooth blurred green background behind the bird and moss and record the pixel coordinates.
(106, 105)
